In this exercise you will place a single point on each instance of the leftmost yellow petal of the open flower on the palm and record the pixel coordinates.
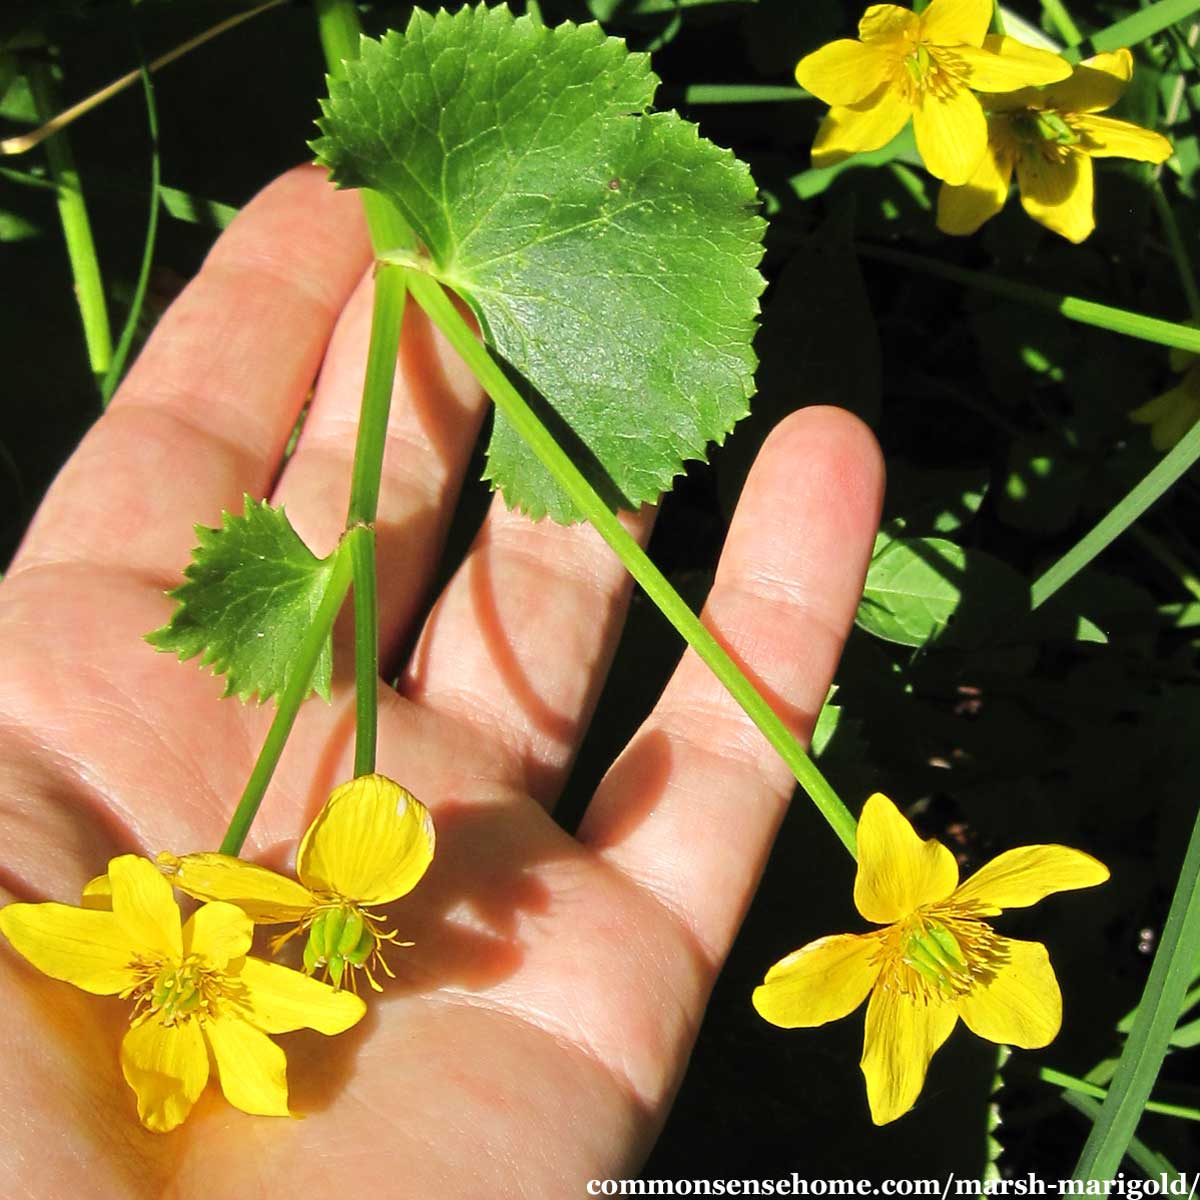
(81, 946)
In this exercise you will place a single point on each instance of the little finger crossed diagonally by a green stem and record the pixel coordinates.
(691, 808)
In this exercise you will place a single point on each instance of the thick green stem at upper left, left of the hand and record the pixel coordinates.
(76, 230)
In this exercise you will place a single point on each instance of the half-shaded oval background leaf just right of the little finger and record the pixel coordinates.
(917, 587)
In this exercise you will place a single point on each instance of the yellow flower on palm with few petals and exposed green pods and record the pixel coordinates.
(369, 845)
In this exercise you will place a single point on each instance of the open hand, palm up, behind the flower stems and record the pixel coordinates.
(539, 1028)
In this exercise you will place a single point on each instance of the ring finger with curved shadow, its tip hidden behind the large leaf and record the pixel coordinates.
(520, 643)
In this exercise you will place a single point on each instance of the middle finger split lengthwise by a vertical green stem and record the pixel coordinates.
(433, 425)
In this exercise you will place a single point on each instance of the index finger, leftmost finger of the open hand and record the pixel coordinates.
(208, 409)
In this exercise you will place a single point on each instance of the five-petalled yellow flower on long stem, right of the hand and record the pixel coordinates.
(937, 959)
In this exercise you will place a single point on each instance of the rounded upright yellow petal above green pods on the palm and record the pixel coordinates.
(371, 843)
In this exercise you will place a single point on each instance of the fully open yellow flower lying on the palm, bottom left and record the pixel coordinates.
(194, 989)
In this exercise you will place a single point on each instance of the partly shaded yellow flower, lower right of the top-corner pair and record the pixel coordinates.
(1051, 137)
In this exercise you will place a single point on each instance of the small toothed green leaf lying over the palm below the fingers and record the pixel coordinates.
(248, 601)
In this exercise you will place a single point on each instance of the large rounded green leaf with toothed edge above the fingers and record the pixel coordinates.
(610, 255)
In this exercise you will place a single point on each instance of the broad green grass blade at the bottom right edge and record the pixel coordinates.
(1150, 1037)
